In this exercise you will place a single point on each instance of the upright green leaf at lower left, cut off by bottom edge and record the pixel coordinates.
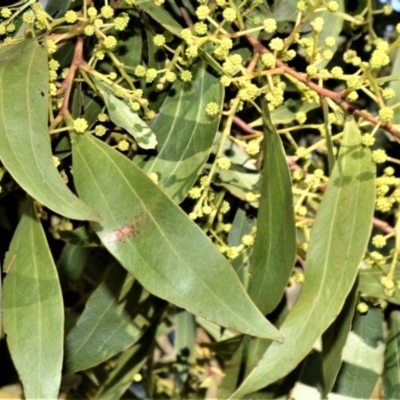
(33, 310)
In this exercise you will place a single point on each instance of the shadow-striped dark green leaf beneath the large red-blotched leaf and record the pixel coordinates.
(116, 315)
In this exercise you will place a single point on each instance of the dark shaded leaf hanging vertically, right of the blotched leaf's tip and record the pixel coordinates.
(274, 249)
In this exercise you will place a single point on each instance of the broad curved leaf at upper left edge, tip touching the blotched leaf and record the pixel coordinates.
(24, 140)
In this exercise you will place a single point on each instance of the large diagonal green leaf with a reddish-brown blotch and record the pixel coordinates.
(152, 238)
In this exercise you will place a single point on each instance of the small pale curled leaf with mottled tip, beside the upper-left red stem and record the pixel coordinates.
(122, 115)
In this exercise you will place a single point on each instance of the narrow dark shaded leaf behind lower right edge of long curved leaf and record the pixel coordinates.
(334, 339)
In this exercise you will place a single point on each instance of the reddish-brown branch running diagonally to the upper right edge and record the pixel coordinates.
(335, 96)
